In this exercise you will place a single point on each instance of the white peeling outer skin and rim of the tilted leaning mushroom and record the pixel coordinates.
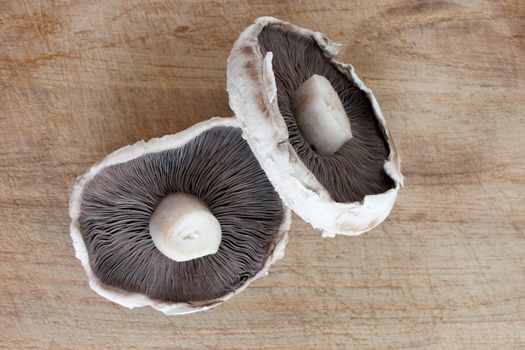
(253, 97)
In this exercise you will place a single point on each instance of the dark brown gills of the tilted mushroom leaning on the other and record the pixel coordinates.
(356, 169)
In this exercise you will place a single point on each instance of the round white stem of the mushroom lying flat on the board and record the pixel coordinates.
(183, 228)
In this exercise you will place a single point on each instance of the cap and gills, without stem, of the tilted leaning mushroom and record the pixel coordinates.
(348, 192)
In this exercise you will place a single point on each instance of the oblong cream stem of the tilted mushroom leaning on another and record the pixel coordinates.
(320, 115)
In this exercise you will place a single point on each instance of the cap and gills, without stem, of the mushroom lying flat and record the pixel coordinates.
(113, 202)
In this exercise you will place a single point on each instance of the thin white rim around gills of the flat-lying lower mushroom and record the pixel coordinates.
(127, 153)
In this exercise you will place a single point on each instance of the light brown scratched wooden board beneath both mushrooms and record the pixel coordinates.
(80, 79)
